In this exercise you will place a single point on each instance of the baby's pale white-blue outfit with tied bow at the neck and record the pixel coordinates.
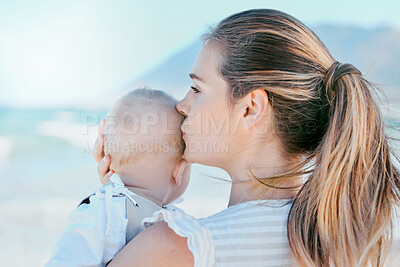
(97, 231)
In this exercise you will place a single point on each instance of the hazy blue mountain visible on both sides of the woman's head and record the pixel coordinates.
(376, 52)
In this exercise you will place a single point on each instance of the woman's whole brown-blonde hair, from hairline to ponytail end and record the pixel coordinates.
(325, 112)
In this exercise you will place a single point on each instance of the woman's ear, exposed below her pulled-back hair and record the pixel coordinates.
(256, 105)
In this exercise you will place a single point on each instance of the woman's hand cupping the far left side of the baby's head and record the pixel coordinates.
(103, 168)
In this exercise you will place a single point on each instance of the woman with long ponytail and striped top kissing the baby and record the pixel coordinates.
(285, 108)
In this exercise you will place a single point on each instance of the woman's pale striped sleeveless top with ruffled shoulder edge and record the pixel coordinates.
(248, 234)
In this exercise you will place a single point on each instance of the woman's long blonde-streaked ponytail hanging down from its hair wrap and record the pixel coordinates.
(342, 214)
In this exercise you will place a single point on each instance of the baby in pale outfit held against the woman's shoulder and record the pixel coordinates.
(143, 139)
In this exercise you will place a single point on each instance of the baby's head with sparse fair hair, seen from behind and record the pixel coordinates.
(143, 137)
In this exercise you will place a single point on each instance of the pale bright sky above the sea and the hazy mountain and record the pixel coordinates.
(55, 53)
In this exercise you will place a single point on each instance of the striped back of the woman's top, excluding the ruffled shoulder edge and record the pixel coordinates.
(252, 233)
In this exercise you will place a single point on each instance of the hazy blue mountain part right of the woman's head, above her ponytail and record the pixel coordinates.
(375, 52)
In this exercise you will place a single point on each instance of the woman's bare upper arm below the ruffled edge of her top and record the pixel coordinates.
(158, 245)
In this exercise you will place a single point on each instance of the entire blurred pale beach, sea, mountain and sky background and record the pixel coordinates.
(64, 63)
